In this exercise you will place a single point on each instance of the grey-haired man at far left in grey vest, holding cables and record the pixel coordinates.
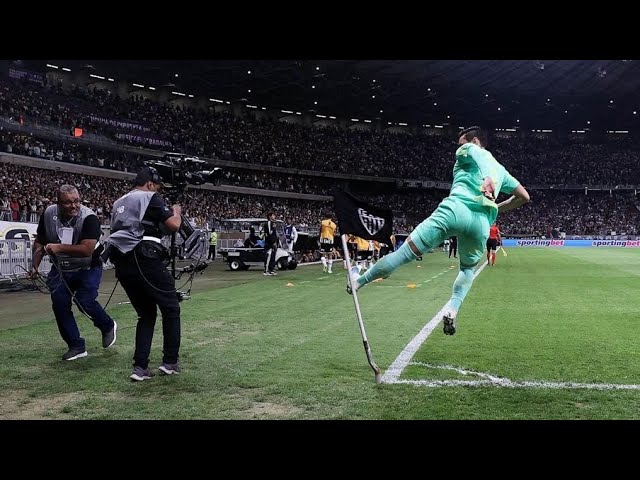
(69, 232)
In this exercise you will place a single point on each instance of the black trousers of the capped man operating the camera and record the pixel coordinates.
(149, 285)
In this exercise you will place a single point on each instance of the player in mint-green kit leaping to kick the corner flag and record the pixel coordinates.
(468, 212)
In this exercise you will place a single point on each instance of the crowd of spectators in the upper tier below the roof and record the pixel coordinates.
(222, 135)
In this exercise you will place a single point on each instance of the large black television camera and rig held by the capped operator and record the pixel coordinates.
(179, 171)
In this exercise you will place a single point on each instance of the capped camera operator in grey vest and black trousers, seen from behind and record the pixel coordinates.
(138, 221)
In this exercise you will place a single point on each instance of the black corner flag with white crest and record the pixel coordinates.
(362, 219)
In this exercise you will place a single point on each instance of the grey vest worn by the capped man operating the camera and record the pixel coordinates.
(127, 228)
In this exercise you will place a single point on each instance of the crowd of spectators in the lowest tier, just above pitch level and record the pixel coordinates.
(25, 191)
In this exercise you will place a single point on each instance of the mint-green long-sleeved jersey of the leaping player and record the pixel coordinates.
(473, 165)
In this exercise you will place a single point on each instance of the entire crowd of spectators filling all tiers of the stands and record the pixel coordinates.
(534, 161)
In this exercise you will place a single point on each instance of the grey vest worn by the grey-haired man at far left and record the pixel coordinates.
(53, 226)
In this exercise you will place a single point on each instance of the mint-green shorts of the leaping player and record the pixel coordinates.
(453, 217)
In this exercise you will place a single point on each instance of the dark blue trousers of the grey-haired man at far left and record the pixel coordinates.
(84, 284)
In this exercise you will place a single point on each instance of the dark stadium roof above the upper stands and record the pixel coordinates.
(540, 93)
